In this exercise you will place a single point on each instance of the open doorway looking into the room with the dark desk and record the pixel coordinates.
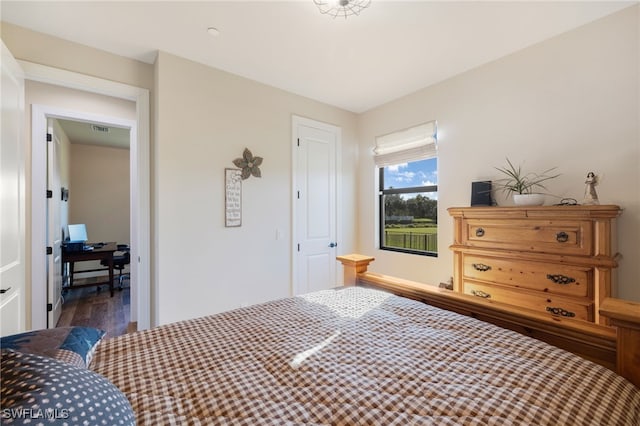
(94, 151)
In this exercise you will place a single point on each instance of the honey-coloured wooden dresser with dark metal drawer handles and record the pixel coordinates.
(553, 259)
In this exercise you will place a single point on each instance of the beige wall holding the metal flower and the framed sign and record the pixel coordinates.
(203, 267)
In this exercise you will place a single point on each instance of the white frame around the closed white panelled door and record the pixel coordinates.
(297, 121)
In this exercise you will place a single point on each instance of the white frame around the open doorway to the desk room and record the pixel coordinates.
(139, 159)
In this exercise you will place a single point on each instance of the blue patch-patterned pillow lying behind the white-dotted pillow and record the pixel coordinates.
(74, 345)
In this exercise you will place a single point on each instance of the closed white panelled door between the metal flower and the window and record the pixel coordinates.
(315, 236)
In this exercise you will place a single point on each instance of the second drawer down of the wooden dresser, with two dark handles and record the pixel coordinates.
(547, 277)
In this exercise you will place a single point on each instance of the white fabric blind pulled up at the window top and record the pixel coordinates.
(415, 143)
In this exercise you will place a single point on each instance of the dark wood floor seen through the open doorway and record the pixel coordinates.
(92, 308)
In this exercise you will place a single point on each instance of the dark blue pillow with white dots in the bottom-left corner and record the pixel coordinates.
(39, 389)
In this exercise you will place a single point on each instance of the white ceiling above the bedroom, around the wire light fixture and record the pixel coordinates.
(392, 49)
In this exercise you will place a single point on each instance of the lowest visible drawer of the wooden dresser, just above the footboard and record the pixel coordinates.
(554, 305)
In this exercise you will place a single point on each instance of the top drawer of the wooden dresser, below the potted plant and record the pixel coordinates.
(542, 236)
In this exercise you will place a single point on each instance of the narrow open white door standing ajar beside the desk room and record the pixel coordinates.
(54, 229)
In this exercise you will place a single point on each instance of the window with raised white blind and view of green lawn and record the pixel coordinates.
(408, 191)
